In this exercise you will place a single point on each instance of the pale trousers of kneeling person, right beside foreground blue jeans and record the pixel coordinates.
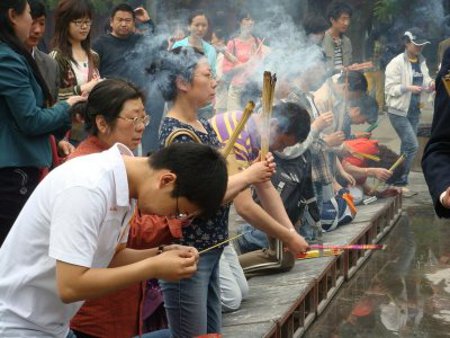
(233, 284)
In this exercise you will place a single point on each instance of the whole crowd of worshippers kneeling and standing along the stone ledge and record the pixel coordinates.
(97, 242)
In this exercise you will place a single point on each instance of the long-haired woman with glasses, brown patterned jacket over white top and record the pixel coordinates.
(78, 63)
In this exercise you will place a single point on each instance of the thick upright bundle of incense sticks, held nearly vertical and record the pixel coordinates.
(269, 83)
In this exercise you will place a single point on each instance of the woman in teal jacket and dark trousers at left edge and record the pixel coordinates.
(25, 114)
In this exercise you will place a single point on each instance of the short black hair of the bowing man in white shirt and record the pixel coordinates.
(201, 173)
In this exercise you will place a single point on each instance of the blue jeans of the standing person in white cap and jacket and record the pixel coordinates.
(406, 129)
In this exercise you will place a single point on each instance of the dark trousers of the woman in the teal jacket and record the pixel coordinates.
(16, 185)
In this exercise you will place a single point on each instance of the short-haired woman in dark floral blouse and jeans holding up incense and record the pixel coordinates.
(193, 305)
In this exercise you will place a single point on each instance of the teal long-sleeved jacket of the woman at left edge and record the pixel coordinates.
(24, 125)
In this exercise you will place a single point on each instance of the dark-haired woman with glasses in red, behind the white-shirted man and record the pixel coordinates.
(114, 112)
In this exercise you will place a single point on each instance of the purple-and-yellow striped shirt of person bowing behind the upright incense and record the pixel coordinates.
(247, 145)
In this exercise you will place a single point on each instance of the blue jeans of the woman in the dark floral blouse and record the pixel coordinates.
(193, 305)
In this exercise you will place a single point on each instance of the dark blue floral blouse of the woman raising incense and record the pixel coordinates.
(201, 233)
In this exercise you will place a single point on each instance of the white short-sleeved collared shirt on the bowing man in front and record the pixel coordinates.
(78, 214)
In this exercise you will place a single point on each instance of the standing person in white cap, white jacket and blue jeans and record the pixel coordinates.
(407, 81)
